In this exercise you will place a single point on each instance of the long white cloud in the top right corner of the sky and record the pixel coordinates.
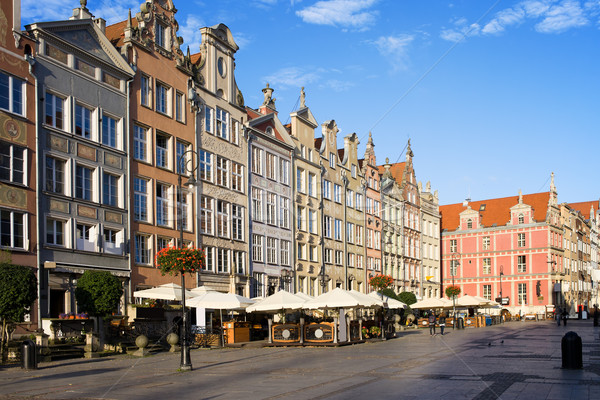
(549, 16)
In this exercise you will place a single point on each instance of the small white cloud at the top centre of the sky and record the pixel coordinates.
(343, 13)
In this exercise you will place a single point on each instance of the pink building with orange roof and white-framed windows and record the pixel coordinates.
(510, 246)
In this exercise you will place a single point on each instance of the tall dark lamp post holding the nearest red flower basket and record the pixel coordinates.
(184, 166)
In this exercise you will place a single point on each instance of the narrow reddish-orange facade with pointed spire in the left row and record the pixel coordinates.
(371, 234)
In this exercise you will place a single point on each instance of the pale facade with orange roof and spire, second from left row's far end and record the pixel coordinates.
(401, 195)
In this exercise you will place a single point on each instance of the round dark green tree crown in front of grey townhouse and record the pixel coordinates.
(98, 293)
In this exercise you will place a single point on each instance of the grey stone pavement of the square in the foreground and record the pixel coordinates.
(517, 360)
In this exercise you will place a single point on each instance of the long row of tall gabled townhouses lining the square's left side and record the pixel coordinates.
(116, 144)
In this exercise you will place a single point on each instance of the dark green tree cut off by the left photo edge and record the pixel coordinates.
(18, 291)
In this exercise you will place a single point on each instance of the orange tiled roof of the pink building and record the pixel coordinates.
(497, 211)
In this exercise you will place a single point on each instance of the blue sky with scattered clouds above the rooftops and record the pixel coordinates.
(494, 95)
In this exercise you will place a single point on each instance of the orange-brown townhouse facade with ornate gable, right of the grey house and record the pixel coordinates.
(162, 122)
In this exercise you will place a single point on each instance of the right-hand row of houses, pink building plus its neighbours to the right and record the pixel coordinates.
(527, 251)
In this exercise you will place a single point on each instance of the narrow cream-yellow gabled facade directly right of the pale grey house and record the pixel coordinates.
(307, 203)
